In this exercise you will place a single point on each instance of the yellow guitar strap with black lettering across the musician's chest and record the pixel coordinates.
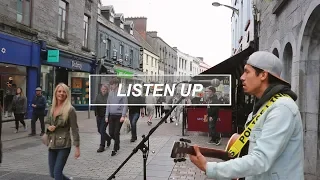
(236, 148)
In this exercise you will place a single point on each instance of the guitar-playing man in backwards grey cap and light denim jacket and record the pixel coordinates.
(276, 139)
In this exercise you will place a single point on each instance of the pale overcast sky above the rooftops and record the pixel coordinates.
(194, 26)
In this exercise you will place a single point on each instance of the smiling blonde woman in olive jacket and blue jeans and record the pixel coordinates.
(61, 118)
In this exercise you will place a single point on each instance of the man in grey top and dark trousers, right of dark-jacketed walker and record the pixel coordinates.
(116, 113)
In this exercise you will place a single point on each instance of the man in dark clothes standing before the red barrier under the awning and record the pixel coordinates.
(213, 115)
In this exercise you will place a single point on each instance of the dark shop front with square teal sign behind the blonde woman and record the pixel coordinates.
(73, 70)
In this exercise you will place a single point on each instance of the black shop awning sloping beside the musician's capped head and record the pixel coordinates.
(233, 65)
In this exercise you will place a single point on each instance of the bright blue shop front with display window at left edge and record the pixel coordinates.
(19, 63)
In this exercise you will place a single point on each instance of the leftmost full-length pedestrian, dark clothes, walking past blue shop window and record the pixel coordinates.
(19, 108)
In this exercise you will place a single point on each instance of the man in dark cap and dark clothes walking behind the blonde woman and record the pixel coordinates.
(39, 106)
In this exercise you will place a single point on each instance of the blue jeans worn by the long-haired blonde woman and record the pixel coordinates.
(57, 160)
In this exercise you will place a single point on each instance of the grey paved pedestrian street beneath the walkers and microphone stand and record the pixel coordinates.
(26, 158)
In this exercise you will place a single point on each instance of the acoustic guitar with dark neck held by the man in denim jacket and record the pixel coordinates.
(182, 148)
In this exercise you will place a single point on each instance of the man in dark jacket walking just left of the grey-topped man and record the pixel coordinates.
(100, 113)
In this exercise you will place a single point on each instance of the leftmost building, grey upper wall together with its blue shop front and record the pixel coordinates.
(17, 69)
